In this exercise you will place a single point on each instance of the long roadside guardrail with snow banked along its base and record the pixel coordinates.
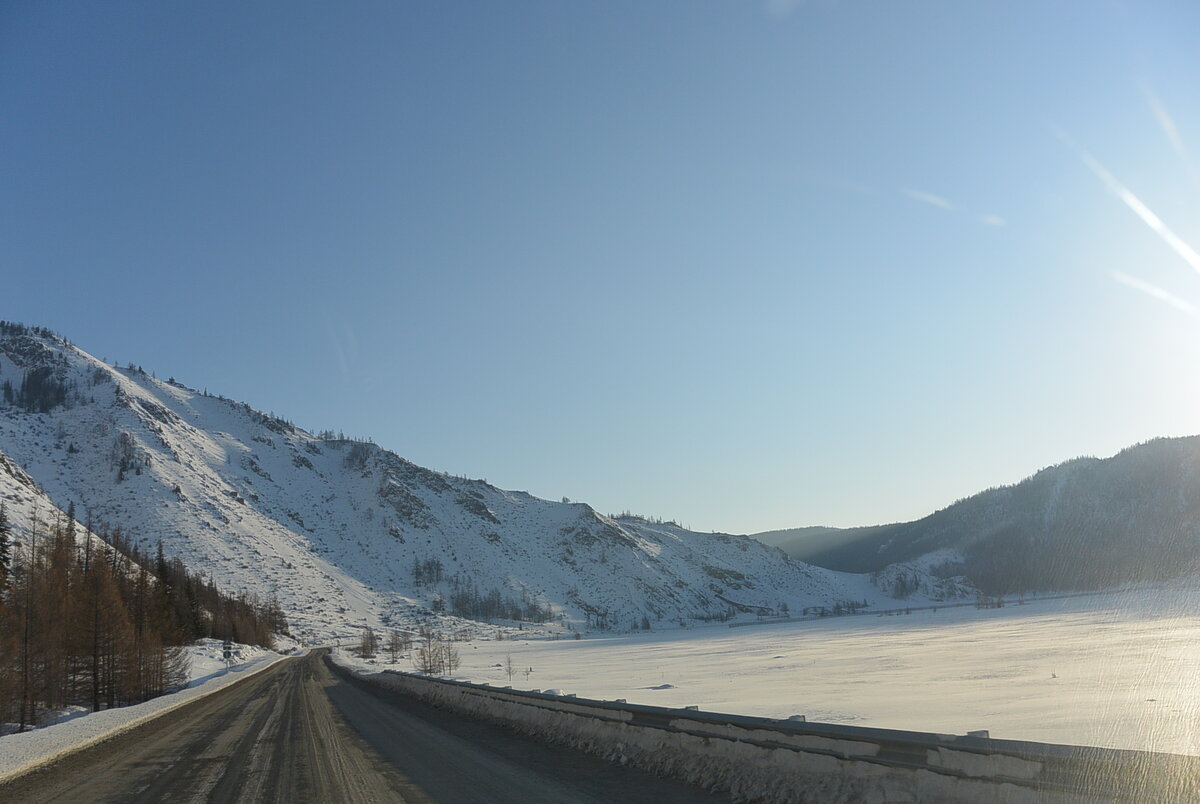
(767, 760)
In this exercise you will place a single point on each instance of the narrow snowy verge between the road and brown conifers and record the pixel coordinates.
(79, 728)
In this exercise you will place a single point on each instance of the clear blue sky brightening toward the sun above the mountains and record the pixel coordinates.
(748, 266)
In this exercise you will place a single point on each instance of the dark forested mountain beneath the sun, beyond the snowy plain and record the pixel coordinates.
(1085, 524)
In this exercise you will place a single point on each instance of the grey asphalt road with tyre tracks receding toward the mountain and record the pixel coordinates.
(299, 734)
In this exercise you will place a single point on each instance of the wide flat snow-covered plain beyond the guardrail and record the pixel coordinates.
(1119, 670)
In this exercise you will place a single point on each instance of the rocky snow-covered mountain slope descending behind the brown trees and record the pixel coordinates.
(346, 533)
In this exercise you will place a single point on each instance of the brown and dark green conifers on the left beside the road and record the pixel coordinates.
(91, 620)
